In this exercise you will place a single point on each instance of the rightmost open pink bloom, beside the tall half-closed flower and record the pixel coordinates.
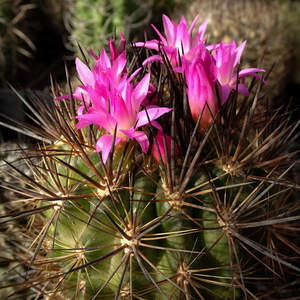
(227, 57)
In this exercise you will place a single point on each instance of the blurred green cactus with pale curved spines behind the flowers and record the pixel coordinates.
(91, 23)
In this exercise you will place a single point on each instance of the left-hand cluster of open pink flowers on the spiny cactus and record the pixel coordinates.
(113, 101)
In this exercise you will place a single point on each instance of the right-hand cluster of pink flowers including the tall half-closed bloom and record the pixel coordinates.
(209, 70)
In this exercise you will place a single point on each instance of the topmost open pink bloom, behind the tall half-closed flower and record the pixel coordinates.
(179, 40)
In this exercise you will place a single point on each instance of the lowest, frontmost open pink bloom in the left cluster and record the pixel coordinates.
(122, 113)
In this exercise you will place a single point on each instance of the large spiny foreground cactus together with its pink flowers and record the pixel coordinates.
(158, 179)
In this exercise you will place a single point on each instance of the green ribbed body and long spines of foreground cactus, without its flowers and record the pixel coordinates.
(213, 217)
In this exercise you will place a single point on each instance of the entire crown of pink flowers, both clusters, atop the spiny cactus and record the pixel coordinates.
(117, 102)
